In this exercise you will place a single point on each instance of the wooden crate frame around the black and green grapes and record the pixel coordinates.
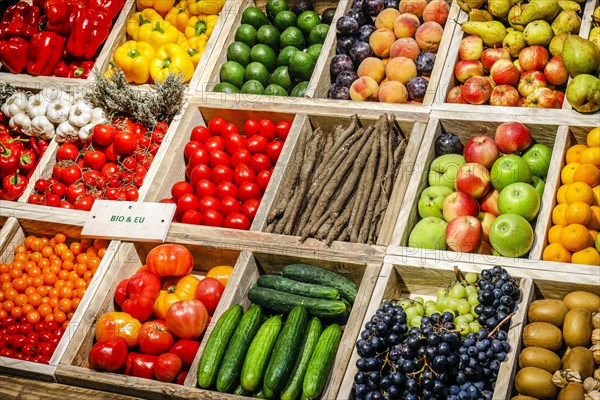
(405, 277)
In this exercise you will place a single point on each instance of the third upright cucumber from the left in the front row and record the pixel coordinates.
(259, 353)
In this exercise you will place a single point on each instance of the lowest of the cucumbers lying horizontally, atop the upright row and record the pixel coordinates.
(282, 302)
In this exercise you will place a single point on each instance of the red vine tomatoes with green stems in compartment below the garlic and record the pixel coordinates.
(112, 166)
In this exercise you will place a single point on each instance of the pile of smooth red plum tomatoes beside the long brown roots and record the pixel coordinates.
(228, 172)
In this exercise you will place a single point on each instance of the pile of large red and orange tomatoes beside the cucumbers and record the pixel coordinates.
(164, 311)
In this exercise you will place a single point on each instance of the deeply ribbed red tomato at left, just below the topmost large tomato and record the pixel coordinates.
(136, 297)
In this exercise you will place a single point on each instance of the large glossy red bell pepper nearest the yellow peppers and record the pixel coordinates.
(90, 28)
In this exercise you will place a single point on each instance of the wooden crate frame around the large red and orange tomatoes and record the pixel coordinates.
(74, 368)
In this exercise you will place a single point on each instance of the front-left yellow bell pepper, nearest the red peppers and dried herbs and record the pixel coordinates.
(134, 59)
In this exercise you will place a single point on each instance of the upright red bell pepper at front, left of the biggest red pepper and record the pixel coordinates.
(45, 51)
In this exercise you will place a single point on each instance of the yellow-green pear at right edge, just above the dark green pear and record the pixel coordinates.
(580, 56)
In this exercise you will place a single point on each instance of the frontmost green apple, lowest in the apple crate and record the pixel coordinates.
(511, 235)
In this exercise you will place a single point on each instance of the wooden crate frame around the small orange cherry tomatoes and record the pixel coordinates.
(14, 233)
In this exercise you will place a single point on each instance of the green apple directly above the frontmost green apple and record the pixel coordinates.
(521, 199)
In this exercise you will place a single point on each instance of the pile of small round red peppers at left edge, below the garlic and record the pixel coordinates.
(19, 155)
